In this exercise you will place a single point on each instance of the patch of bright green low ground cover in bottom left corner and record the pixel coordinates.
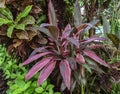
(15, 76)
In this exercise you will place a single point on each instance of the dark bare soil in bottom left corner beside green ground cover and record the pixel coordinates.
(3, 83)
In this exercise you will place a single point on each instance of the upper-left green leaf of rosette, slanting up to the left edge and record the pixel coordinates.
(7, 13)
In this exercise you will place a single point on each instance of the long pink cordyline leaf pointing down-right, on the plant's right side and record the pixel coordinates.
(93, 56)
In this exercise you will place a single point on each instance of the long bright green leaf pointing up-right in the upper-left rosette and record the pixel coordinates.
(24, 13)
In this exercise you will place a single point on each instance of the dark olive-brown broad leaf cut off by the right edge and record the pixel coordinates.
(114, 39)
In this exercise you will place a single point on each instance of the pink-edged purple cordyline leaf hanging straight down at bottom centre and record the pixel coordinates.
(65, 72)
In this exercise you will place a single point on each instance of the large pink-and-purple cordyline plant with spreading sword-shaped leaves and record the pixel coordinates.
(70, 50)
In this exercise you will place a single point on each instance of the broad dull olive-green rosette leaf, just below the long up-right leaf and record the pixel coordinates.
(28, 20)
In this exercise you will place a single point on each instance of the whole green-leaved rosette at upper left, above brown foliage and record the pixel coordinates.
(20, 22)
